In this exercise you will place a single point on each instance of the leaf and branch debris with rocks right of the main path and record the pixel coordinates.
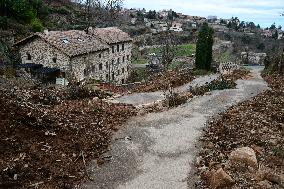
(244, 148)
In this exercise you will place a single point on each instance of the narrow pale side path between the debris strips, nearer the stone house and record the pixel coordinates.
(145, 98)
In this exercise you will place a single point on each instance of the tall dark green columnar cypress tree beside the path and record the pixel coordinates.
(204, 48)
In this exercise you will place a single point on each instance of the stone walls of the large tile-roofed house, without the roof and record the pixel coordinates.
(102, 65)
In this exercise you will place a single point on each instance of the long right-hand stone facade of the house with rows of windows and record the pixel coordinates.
(105, 65)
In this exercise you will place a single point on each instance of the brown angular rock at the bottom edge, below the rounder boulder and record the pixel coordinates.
(219, 179)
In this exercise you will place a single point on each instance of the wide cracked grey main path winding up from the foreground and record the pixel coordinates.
(163, 145)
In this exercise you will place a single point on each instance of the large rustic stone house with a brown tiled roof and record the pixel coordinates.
(103, 54)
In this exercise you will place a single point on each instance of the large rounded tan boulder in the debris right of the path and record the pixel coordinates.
(244, 155)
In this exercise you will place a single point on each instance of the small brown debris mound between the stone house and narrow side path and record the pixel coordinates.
(165, 80)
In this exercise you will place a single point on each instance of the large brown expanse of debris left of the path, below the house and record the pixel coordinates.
(50, 144)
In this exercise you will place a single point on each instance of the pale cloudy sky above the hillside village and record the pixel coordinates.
(263, 12)
